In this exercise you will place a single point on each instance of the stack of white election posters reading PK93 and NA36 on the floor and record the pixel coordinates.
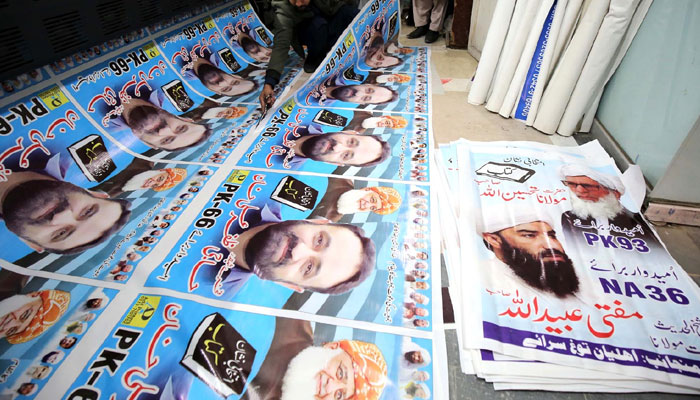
(558, 281)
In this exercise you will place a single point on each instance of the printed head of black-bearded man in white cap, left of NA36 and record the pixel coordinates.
(527, 243)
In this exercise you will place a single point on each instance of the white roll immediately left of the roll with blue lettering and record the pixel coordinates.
(516, 84)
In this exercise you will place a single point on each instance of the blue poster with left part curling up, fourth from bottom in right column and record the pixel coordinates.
(338, 83)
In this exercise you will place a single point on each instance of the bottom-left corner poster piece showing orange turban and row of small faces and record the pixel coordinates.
(41, 323)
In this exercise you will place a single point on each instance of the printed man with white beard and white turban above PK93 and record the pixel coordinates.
(596, 208)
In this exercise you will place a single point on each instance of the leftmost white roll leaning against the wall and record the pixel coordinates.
(493, 45)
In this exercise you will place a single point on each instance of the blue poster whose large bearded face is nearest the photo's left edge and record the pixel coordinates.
(73, 202)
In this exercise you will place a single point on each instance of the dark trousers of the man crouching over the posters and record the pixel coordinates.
(320, 33)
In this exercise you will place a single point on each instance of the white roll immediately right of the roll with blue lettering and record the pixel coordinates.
(558, 92)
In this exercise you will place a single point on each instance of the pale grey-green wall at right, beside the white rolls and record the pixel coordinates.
(653, 100)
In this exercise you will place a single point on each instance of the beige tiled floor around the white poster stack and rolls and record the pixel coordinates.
(454, 118)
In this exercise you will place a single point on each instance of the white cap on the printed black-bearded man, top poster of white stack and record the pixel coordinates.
(495, 219)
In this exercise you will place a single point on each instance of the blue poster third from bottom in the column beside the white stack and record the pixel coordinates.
(343, 142)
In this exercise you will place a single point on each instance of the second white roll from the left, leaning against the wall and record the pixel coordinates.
(525, 11)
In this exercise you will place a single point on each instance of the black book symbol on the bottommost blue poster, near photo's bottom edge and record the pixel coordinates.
(219, 356)
